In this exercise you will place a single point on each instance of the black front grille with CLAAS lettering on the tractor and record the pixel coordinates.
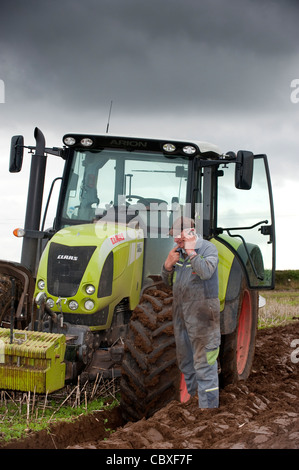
(66, 266)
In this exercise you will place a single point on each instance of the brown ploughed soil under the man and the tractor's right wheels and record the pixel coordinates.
(261, 413)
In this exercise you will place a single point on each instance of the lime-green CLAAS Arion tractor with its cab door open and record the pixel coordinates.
(87, 297)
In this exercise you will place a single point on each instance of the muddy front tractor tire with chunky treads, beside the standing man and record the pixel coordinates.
(150, 376)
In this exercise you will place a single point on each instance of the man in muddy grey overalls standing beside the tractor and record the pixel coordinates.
(191, 268)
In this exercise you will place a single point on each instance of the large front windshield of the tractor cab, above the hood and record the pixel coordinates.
(101, 180)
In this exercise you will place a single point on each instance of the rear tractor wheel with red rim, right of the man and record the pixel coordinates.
(238, 348)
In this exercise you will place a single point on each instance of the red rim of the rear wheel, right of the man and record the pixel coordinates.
(244, 332)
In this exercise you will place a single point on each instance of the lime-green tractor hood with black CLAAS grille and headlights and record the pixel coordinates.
(87, 269)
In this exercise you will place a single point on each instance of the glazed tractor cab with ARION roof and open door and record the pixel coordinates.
(151, 182)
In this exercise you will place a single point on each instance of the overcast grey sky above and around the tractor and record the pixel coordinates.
(216, 70)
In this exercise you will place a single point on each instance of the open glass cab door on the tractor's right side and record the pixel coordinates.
(245, 219)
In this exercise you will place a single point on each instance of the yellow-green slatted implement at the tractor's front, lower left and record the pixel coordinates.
(31, 361)
